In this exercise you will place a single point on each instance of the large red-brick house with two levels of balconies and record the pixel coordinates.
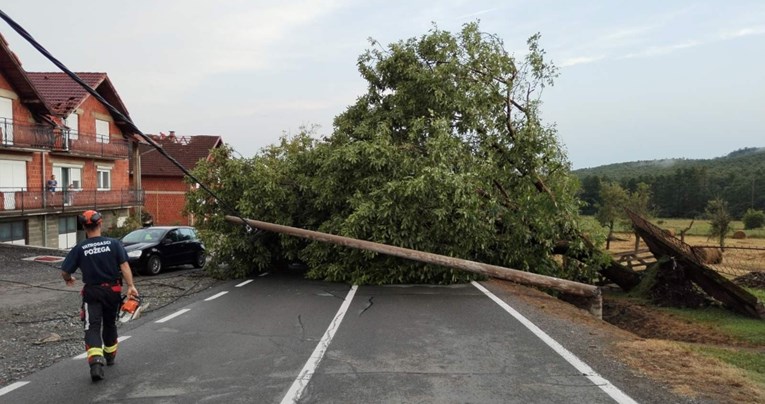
(52, 127)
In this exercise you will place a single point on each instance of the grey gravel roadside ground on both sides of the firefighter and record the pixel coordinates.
(40, 316)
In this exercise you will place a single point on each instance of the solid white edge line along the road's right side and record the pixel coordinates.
(582, 367)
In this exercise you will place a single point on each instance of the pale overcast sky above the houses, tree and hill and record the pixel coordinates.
(639, 80)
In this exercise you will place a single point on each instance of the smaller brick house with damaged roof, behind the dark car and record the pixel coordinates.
(163, 183)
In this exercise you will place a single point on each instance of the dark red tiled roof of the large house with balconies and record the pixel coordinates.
(61, 92)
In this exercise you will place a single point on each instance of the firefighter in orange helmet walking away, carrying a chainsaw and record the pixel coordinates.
(101, 260)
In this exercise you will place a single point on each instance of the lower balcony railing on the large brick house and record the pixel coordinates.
(22, 201)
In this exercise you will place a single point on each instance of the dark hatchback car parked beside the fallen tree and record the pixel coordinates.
(152, 249)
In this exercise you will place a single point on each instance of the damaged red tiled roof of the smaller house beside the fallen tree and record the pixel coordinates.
(186, 150)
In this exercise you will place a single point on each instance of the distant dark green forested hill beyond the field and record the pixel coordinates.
(682, 187)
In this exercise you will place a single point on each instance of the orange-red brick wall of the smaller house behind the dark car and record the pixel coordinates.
(164, 199)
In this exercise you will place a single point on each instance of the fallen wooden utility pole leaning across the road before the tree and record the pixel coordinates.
(591, 294)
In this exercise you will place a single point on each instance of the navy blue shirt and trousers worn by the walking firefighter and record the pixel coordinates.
(99, 260)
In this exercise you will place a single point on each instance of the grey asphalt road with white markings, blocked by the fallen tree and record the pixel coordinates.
(284, 339)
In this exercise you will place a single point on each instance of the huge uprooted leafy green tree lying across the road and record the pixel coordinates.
(444, 153)
